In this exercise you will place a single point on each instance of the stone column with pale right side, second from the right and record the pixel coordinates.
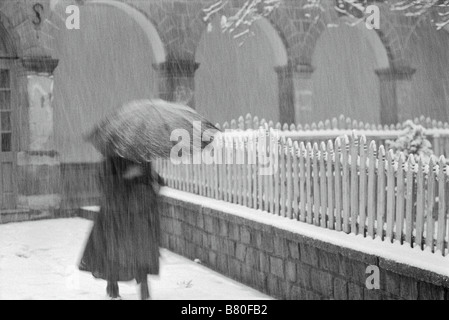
(295, 93)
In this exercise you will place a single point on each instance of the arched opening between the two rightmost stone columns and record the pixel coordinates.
(344, 81)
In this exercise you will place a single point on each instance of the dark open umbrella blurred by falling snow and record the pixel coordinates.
(141, 130)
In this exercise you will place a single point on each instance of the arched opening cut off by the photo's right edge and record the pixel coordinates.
(429, 55)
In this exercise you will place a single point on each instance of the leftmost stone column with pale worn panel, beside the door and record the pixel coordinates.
(38, 162)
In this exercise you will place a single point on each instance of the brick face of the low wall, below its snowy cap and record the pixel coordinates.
(284, 264)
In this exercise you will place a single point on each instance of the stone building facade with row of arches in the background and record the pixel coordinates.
(56, 82)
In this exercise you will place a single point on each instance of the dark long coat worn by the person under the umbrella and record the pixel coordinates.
(124, 242)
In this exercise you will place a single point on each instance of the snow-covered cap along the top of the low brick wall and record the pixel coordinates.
(355, 247)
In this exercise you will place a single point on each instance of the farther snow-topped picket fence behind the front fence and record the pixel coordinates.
(437, 132)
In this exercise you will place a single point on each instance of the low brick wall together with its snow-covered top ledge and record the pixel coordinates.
(293, 260)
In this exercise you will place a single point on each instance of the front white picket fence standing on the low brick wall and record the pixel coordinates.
(345, 185)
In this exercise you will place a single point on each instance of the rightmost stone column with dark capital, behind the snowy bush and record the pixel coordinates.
(395, 93)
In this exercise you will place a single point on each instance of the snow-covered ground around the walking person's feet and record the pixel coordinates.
(38, 261)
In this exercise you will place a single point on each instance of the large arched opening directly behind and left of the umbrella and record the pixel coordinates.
(104, 64)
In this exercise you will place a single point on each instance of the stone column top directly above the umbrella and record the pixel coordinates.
(177, 80)
